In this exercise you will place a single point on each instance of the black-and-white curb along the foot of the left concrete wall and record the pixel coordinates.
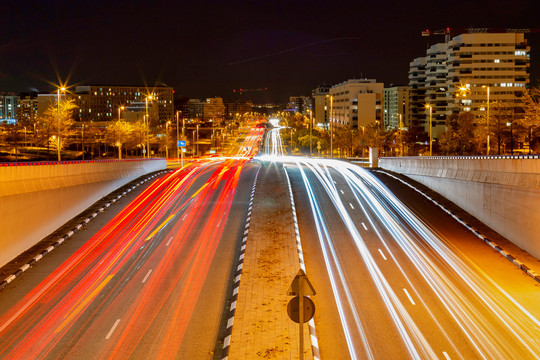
(70, 233)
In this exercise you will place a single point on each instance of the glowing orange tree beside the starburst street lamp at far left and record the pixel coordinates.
(58, 123)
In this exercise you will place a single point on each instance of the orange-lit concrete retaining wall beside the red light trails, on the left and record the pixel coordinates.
(36, 199)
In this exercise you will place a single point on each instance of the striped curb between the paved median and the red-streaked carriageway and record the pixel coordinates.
(237, 276)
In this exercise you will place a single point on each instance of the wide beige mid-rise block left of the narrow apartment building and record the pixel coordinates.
(357, 102)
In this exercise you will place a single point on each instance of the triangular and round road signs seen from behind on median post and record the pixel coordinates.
(301, 308)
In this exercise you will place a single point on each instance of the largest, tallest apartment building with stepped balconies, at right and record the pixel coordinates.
(476, 61)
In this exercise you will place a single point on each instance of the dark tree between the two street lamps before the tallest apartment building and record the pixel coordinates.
(459, 138)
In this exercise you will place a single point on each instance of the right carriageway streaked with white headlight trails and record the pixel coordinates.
(389, 286)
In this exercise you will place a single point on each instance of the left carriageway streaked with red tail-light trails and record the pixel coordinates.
(152, 283)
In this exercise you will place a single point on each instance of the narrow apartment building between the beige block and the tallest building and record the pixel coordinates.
(396, 106)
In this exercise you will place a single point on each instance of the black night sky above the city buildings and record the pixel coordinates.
(208, 48)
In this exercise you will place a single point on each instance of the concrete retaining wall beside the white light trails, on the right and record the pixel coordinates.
(502, 192)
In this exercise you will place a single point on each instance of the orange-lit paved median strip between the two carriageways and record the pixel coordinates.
(262, 329)
